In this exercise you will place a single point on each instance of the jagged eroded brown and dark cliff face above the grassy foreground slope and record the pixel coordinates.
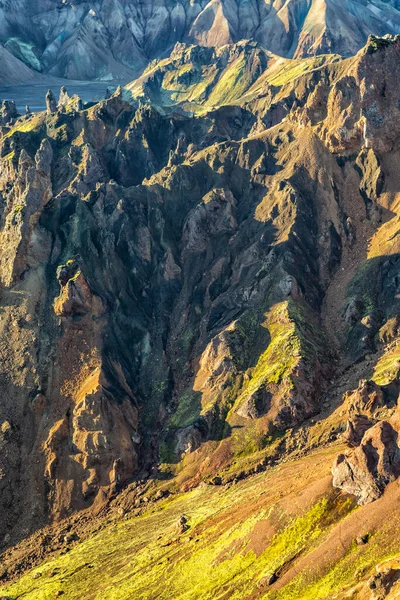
(183, 289)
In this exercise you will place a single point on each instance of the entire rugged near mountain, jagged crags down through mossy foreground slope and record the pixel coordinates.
(199, 333)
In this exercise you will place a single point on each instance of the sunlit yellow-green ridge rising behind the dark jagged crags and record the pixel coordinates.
(218, 80)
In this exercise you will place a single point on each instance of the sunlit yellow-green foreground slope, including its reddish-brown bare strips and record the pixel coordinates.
(271, 525)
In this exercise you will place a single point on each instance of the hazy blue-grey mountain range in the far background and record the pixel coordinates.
(116, 39)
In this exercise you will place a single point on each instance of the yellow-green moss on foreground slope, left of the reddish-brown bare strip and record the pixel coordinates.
(237, 538)
